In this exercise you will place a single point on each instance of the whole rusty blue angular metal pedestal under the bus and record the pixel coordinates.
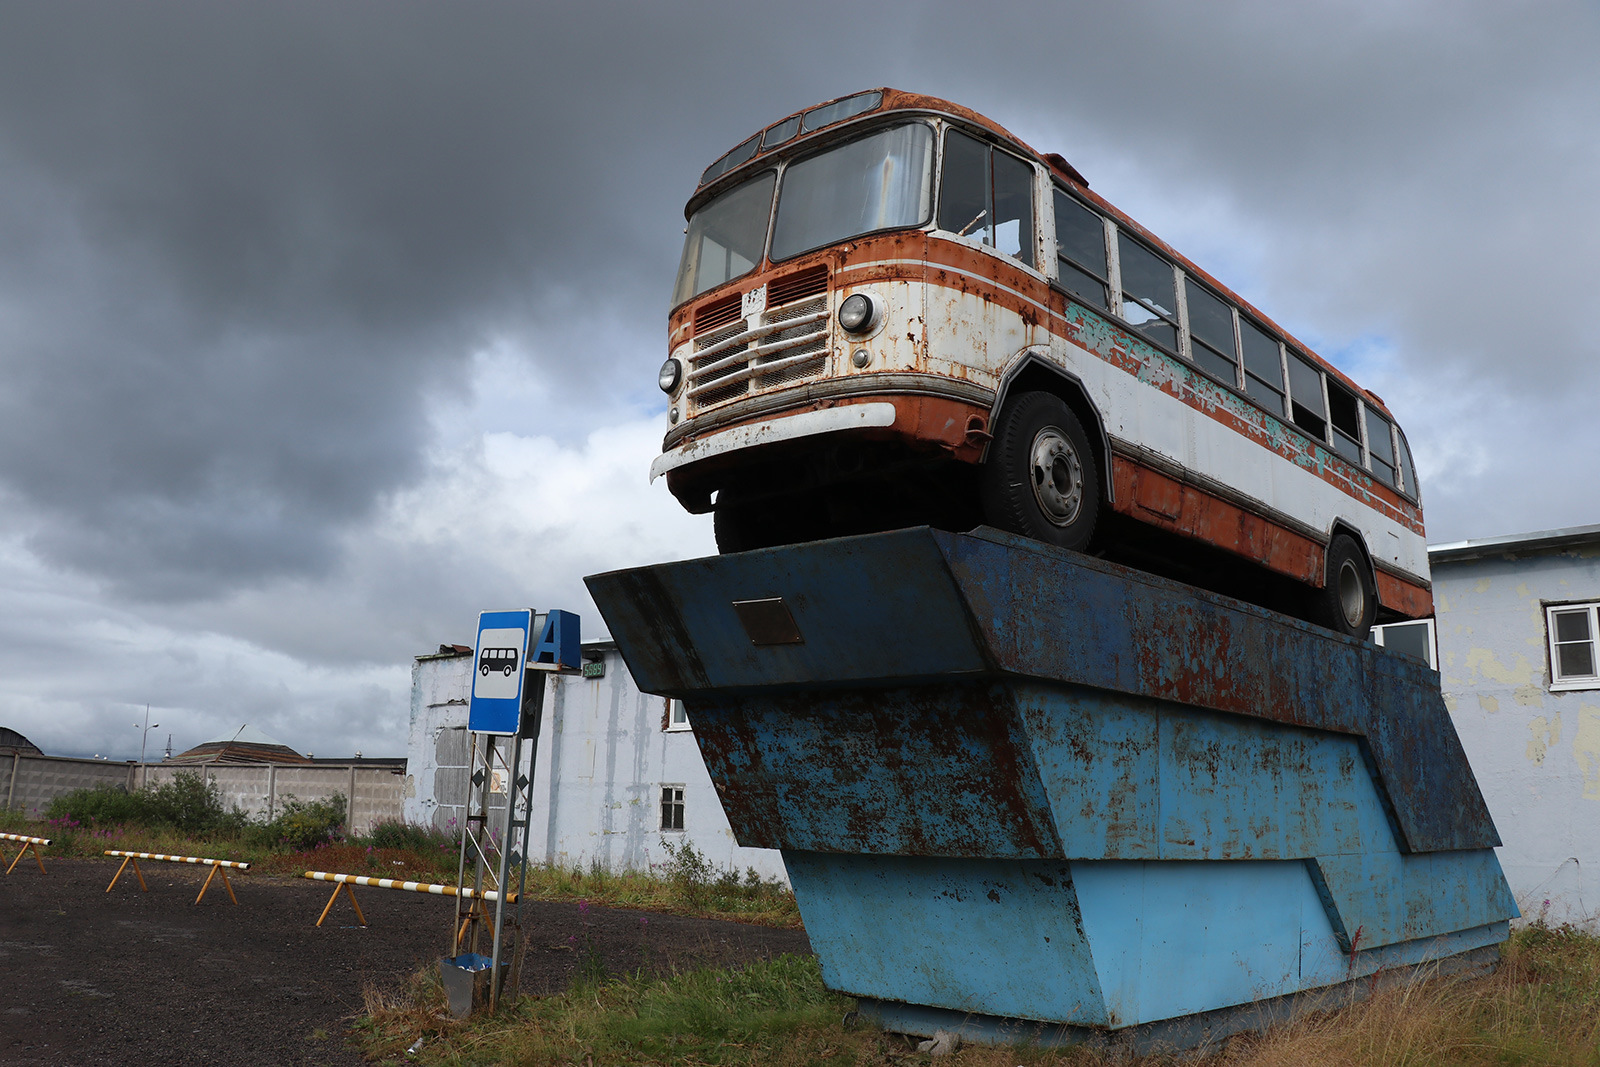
(1015, 786)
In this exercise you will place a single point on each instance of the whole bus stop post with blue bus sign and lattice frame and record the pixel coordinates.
(513, 653)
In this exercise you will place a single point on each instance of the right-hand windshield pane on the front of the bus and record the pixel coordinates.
(874, 183)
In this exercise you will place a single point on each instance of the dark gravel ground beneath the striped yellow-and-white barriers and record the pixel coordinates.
(153, 978)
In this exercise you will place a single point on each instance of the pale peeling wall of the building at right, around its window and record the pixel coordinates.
(1537, 753)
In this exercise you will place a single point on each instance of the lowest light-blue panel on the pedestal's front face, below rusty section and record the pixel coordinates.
(974, 935)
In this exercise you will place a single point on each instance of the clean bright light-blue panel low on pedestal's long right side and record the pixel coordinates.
(1177, 938)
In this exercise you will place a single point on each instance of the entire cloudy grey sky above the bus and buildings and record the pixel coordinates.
(327, 326)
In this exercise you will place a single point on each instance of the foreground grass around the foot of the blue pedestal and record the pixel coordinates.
(1540, 1009)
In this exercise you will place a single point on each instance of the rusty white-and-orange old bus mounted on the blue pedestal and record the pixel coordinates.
(890, 311)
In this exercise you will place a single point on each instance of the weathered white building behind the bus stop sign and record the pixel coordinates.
(617, 773)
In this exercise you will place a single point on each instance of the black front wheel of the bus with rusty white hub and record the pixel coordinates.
(1041, 479)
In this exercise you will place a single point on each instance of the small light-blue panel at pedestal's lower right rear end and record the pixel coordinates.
(1385, 898)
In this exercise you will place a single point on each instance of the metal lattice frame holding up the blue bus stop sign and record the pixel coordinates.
(494, 839)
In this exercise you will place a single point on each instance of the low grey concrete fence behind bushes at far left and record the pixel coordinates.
(374, 794)
